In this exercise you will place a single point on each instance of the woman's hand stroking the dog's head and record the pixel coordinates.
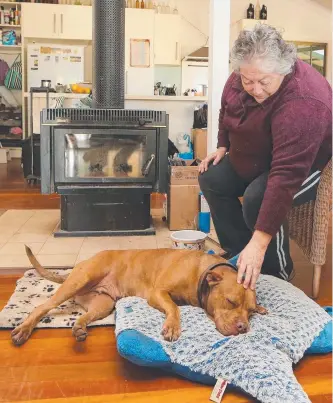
(251, 259)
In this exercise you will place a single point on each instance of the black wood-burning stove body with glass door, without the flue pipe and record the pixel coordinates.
(104, 164)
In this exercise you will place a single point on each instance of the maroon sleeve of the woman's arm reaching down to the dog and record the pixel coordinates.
(298, 129)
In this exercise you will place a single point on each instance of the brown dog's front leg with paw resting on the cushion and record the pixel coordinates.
(162, 301)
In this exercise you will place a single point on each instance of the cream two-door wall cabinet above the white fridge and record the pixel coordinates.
(56, 21)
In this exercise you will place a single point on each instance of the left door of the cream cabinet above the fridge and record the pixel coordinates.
(40, 20)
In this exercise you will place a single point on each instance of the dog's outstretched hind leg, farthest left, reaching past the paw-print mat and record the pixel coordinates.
(76, 281)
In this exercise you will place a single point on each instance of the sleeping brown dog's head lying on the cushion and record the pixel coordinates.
(228, 303)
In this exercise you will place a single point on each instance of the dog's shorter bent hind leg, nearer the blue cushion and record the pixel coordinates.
(98, 306)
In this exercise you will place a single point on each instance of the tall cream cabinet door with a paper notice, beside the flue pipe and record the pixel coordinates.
(139, 24)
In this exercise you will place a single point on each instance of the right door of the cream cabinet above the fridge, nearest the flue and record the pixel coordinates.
(75, 22)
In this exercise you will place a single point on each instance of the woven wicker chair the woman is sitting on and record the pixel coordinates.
(308, 226)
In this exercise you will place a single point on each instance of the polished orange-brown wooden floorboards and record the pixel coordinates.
(53, 367)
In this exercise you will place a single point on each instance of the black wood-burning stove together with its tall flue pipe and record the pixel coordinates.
(105, 162)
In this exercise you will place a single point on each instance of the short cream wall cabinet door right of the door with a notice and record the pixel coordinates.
(167, 40)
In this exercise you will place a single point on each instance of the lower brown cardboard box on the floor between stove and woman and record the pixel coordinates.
(182, 206)
